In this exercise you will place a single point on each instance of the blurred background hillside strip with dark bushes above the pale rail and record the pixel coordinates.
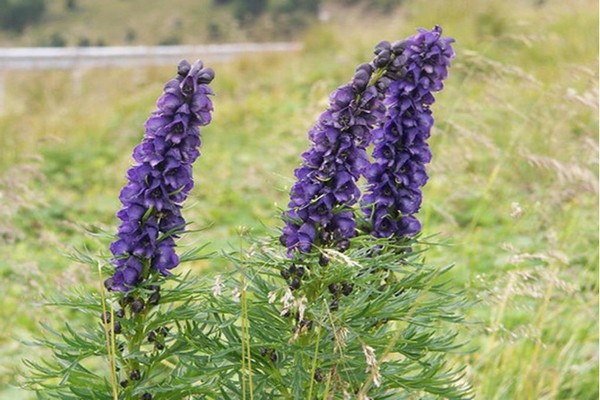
(189, 22)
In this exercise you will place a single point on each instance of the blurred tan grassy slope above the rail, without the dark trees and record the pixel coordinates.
(149, 22)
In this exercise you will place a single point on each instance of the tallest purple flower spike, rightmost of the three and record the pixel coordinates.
(395, 177)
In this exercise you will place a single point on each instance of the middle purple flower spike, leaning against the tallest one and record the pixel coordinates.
(321, 199)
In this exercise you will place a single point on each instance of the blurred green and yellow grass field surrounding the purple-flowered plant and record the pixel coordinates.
(513, 187)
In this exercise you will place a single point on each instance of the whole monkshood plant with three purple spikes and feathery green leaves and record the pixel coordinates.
(338, 304)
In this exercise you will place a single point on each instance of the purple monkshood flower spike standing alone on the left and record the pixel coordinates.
(161, 179)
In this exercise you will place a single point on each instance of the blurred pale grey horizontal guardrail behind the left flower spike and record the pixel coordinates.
(29, 58)
